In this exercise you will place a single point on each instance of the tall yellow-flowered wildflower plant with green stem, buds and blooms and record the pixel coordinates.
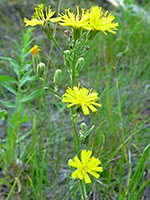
(84, 27)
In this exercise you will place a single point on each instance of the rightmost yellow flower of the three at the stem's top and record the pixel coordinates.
(101, 22)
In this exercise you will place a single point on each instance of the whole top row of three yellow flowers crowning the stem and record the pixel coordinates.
(91, 20)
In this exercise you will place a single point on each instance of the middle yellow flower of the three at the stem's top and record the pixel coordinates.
(75, 21)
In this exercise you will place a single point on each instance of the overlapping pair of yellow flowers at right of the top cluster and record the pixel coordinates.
(93, 19)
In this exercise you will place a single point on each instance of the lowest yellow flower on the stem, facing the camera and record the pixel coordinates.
(86, 166)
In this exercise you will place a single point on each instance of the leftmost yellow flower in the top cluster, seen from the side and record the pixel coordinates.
(38, 18)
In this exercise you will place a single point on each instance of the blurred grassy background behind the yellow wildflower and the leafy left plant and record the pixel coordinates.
(118, 68)
